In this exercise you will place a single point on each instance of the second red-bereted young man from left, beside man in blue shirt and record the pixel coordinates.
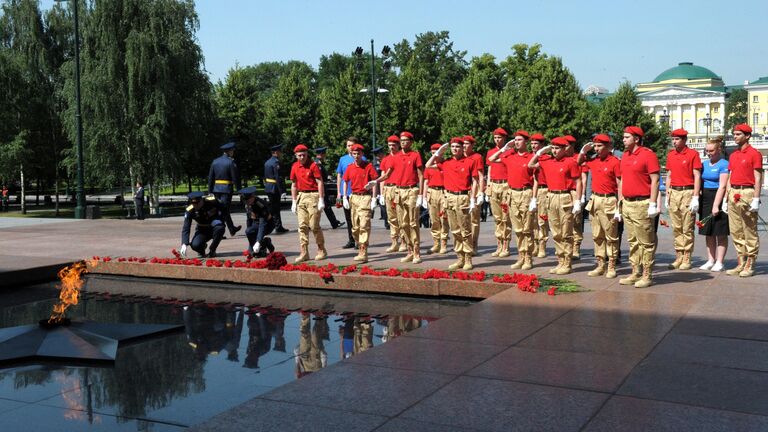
(358, 198)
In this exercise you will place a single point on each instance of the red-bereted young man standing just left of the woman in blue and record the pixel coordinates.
(683, 185)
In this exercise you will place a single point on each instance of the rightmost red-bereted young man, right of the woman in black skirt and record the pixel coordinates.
(744, 183)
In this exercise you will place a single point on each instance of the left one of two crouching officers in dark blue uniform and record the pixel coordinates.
(208, 213)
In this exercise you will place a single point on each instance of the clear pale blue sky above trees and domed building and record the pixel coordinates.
(601, 42)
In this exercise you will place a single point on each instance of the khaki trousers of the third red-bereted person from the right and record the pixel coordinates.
(640, 233)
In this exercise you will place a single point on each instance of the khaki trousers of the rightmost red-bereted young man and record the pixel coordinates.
(743, 223)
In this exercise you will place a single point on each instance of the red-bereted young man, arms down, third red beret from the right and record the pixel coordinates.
(638, 194)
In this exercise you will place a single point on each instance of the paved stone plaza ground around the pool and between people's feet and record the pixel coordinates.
(689, 353)
